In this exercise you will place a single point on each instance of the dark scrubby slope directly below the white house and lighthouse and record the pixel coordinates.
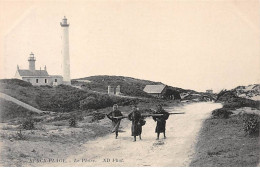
(61, 98)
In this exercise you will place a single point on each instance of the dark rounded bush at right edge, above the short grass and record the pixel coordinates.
(251, 124)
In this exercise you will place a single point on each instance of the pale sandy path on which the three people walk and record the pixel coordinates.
(176, 150)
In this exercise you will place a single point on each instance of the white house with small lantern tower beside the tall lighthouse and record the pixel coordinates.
(37, 77)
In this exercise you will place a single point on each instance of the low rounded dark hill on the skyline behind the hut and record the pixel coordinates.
(129, 86)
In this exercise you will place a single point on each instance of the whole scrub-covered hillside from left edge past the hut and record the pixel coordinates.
(90, 95)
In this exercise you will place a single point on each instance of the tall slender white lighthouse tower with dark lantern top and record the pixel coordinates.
(65, 51)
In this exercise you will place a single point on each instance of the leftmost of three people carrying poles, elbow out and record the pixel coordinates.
(115, 121)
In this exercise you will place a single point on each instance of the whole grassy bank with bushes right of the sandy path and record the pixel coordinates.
(227, 139)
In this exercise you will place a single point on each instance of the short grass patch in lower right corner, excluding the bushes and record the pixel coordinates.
(223, 143)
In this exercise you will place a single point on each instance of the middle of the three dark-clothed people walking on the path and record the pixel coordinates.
(135, 117)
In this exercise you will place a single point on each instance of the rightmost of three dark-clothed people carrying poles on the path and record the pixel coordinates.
(161, 121)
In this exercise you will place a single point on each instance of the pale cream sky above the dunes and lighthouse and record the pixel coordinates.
(199, 45)
